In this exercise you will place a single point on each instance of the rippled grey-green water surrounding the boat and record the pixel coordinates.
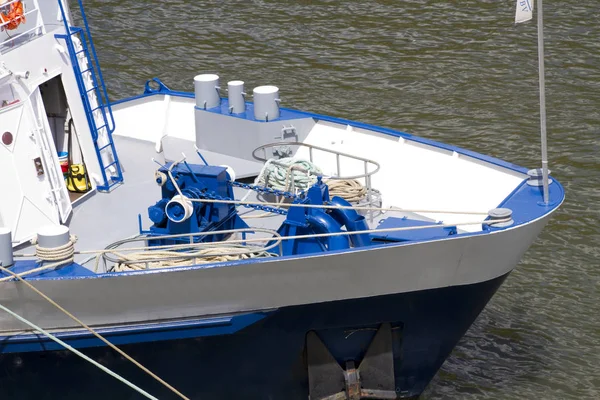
(458, 72)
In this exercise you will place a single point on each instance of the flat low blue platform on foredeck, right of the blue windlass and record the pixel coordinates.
(412, 234)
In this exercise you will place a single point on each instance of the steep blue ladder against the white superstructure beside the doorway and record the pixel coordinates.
(94, 97)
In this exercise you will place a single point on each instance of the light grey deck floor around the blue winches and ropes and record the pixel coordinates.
(100, 219)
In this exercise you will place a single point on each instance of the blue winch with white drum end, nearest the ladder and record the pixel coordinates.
(177, 213)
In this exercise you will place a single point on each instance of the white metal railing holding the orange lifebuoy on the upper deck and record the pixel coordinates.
(32, 27)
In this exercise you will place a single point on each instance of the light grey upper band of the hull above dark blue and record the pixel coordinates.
(188, 292)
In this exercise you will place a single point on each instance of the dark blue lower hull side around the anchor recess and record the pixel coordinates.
(266, 360)
